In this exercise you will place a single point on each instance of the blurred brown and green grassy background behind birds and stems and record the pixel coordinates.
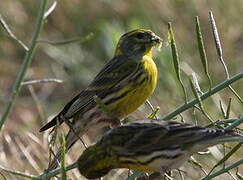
(23, 148)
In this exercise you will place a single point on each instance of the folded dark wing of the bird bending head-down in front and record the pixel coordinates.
(156, 135)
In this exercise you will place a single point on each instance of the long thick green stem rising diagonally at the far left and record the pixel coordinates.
(27, 60)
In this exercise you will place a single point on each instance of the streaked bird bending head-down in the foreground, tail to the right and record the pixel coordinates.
(149, 146)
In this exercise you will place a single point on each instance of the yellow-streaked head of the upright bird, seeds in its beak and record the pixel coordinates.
(137, 43)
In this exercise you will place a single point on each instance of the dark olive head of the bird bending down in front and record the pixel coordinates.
(95, 162)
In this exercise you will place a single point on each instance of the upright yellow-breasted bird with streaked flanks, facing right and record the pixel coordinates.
(123, 85)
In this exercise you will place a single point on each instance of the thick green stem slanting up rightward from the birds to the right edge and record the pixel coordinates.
(214, 90)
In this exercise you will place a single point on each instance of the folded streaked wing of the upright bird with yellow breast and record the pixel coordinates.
(111, 76)
